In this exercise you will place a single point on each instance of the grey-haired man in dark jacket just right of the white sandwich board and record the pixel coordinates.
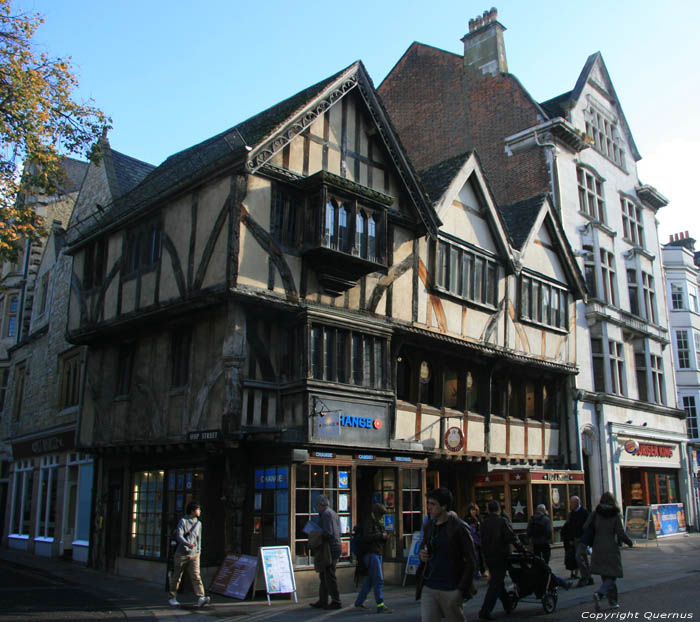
(326, 556)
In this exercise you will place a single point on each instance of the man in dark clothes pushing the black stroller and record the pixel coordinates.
(497, 536)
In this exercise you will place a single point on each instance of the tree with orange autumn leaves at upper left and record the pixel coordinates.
(39, 123)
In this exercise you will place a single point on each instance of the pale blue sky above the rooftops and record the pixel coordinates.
(173, 73)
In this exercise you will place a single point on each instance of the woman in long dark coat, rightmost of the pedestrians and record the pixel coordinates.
(606, 559)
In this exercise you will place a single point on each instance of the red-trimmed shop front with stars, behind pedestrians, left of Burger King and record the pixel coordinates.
(520, 492)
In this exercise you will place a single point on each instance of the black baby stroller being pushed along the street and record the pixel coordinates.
(533, 578)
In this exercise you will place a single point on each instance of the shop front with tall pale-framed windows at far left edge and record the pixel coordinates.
(50, 496)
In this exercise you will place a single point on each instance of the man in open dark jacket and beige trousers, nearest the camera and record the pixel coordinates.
(448, 562)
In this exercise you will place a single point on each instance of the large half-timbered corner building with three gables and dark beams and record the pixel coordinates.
(279, 312)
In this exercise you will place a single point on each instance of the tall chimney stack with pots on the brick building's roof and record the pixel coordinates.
(484, 49)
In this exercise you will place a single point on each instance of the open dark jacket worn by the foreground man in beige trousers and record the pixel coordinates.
(462, 555)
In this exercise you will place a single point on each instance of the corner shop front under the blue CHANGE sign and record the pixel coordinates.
(352, 462)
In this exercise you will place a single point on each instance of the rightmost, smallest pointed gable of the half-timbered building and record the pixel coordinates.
(537, 235)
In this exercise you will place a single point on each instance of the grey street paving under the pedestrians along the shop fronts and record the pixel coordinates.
(661, 582)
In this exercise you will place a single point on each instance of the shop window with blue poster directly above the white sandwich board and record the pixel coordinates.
(271, 506)
